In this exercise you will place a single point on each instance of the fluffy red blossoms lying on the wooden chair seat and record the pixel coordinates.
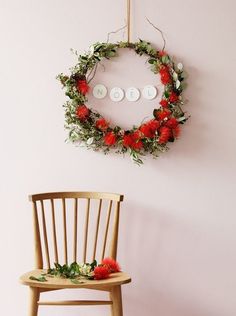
(107, 267)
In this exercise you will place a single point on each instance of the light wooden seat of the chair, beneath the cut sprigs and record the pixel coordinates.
(61, 283)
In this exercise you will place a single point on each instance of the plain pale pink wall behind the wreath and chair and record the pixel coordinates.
(178, 220)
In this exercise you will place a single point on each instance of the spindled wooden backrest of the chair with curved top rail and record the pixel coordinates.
(75, 226)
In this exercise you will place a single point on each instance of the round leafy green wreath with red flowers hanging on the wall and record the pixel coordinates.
(86, 126)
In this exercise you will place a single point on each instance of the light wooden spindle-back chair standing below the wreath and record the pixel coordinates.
(88, 223)
